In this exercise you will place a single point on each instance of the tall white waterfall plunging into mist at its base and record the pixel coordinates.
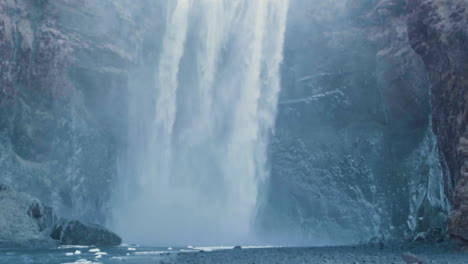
(197, 153)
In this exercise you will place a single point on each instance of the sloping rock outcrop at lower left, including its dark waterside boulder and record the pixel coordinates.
(26, 222)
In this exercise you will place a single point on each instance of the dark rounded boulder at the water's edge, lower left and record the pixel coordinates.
(74, 232)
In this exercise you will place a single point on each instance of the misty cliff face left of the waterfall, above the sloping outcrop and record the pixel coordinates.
(62, 101)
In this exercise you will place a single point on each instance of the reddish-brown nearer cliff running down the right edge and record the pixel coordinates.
(439, 34)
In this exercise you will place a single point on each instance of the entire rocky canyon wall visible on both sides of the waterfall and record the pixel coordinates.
(371, 135)
